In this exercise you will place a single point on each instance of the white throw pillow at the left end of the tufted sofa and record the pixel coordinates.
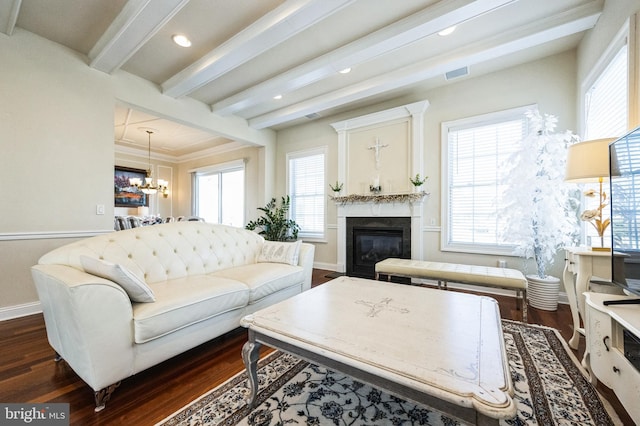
(137, 289)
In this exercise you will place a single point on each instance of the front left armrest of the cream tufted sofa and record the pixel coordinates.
(89, 323)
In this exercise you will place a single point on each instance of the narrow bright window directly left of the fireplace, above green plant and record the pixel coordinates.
(306, 181)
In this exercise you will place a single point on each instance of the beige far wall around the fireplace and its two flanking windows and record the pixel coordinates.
(549, 82)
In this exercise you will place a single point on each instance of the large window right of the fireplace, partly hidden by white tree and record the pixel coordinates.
(473, 151)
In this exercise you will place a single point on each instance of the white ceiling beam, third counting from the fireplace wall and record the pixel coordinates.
(277, 26)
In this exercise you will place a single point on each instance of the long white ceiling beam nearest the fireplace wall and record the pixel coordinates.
(564, 24)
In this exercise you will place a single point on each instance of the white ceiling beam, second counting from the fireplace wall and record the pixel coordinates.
(435, 18)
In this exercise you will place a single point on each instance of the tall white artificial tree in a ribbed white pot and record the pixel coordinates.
(540, 214)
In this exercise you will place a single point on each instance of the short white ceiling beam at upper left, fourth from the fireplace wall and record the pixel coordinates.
(138, 21)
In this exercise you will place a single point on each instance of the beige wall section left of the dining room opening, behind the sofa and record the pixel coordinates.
(56, 139)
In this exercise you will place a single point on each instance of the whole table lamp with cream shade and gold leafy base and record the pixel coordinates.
(588, 161)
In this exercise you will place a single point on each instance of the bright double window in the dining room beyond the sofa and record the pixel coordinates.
(218, 193)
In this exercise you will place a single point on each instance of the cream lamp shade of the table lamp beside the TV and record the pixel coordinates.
(588, 161)
